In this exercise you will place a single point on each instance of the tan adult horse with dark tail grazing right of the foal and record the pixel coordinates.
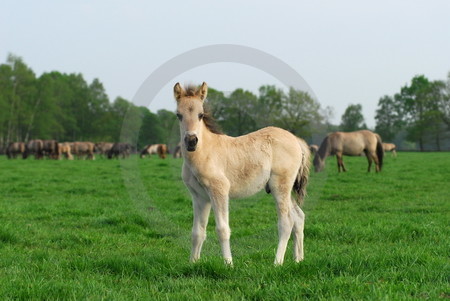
(350, 144)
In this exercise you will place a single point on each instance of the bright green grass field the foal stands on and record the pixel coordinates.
(120, 230)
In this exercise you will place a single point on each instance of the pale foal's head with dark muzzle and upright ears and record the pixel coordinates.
(190, 113)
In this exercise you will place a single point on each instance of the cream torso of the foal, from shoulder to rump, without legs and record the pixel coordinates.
(248, 161)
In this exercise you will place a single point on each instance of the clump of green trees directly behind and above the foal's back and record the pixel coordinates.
(243, 112)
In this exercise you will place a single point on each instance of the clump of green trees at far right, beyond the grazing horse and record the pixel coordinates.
(419, 112)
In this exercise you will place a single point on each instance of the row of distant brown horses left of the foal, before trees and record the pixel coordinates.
(53, 149)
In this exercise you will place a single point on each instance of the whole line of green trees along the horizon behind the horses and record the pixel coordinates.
(66, 107)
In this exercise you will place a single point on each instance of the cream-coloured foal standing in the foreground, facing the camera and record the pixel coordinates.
(218, 167)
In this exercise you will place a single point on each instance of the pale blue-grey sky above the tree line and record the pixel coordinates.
(348, 52)
